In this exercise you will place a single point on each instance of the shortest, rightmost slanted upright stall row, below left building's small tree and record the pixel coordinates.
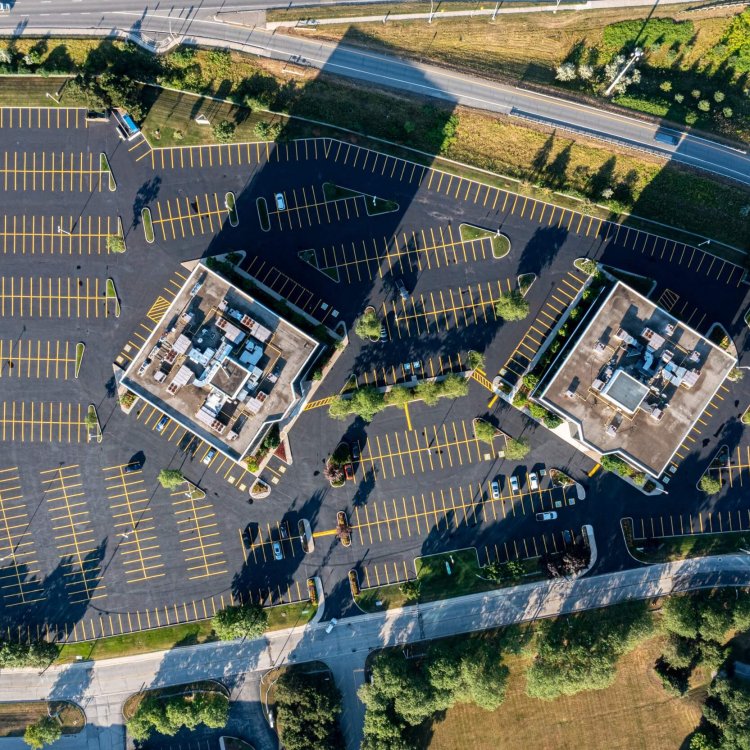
(199, 535)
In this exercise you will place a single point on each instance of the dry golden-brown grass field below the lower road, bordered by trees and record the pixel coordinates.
(635, 713)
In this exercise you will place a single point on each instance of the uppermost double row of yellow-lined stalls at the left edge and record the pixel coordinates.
(52, 171)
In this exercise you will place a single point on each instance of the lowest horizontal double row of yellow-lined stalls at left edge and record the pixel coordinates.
(42, 422)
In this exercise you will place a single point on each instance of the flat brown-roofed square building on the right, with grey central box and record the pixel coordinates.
(635, 381)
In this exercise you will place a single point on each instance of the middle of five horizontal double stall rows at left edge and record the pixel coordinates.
(60, 297)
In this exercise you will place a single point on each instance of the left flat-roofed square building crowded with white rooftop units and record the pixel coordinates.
(222, 364)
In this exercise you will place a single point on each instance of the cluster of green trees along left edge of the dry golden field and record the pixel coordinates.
(405, 693)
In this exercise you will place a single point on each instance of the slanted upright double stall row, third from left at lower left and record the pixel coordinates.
(133, 522)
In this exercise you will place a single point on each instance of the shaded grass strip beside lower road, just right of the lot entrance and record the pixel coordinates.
(436, 584)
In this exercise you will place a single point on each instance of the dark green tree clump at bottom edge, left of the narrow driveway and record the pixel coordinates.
(308, 708)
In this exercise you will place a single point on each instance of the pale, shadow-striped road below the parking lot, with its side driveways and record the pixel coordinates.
(103, 686)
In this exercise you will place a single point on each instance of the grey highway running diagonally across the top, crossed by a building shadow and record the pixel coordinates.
(201, 25)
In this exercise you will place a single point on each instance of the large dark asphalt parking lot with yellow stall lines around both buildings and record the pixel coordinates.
(92, 545)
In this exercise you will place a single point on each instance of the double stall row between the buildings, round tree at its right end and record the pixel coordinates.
(444, 310)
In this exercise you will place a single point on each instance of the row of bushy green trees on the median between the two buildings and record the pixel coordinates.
(368, 401)
